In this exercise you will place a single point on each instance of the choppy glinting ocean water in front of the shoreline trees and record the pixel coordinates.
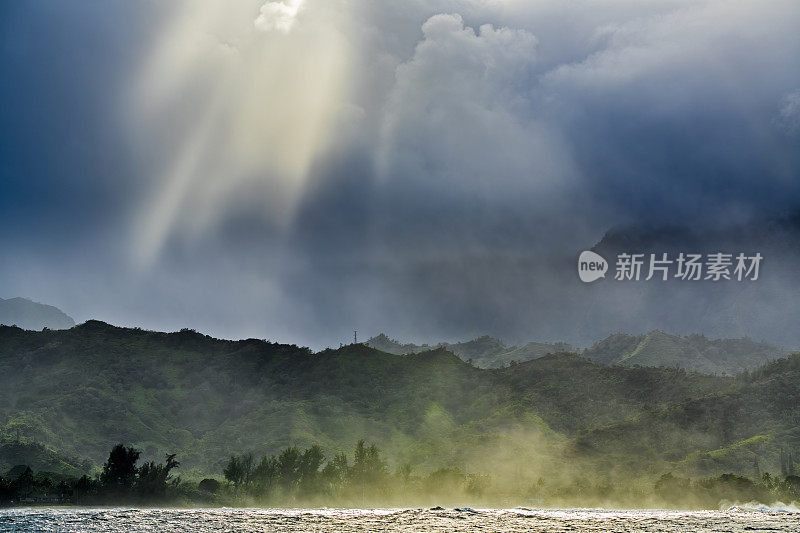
(735, 519)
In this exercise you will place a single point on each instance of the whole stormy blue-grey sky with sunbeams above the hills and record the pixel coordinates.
(296, 170)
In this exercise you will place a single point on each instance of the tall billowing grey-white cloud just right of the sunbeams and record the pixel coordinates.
(462, 118)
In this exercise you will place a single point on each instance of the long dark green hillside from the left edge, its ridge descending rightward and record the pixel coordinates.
(82, 390)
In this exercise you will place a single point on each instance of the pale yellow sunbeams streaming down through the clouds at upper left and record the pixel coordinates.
(269, 89)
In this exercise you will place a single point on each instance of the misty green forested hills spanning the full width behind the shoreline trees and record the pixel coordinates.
(69, 396)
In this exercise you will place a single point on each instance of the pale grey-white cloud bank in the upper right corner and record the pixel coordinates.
(708, 52)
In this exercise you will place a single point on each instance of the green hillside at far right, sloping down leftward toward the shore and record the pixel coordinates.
(742, 428)
